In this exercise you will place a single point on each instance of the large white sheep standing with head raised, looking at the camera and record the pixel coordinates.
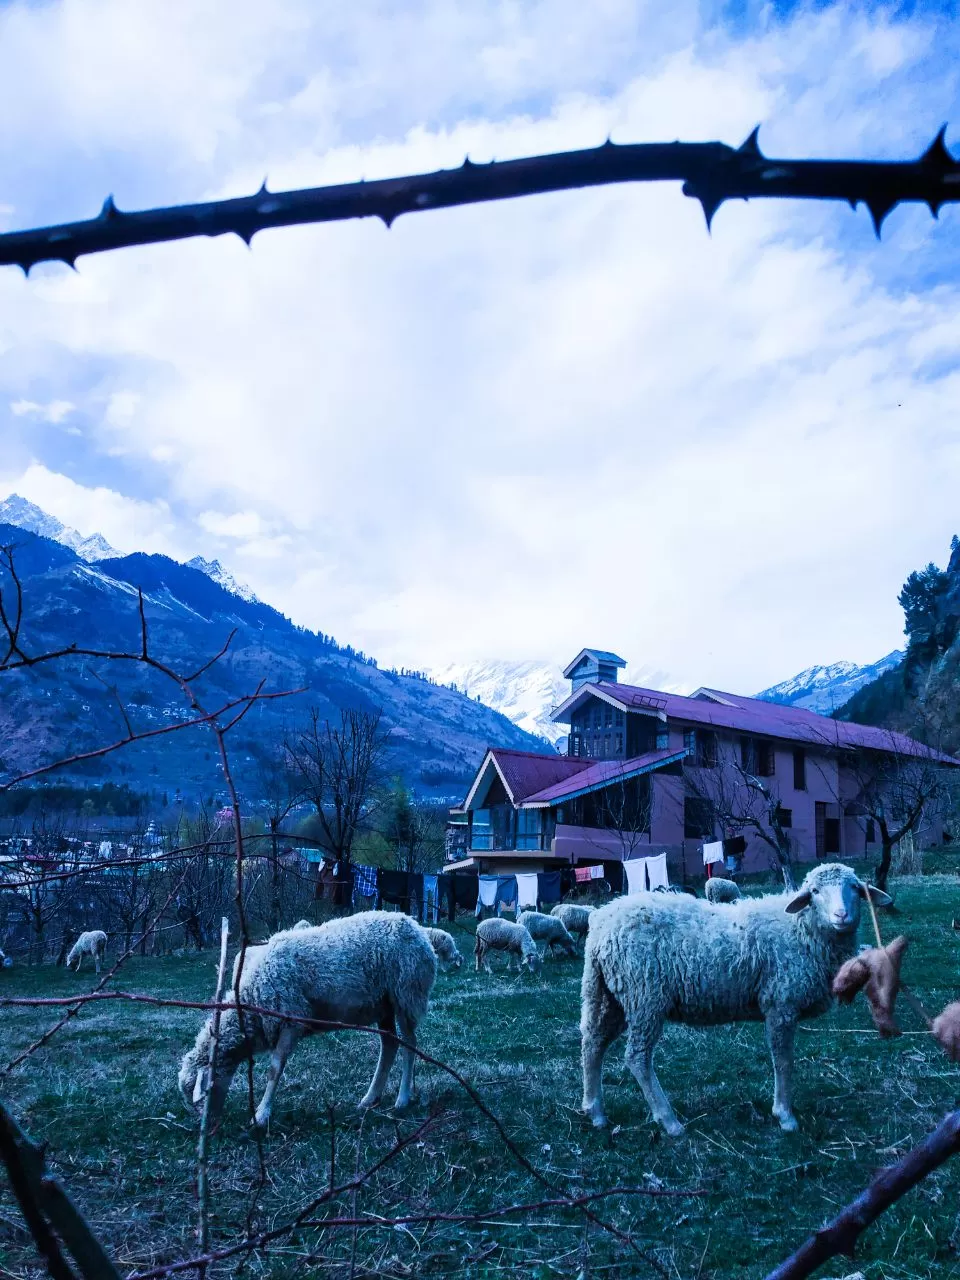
(655, 958)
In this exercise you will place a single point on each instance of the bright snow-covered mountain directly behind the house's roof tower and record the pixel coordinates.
(528, 692)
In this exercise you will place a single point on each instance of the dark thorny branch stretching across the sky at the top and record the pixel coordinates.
(711, 172)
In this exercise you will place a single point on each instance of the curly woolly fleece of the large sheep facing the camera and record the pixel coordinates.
(705, 967)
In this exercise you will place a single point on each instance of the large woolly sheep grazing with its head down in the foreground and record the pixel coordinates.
(376, 968)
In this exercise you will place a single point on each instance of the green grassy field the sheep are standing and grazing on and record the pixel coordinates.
(103, 1094)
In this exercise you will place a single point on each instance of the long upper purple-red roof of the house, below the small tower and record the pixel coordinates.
(717, 710)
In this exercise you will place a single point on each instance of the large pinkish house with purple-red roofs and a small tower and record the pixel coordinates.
(648, 772)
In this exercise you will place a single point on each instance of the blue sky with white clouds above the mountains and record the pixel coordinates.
(509, 431)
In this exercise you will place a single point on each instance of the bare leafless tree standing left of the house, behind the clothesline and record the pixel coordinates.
(339, 770)
